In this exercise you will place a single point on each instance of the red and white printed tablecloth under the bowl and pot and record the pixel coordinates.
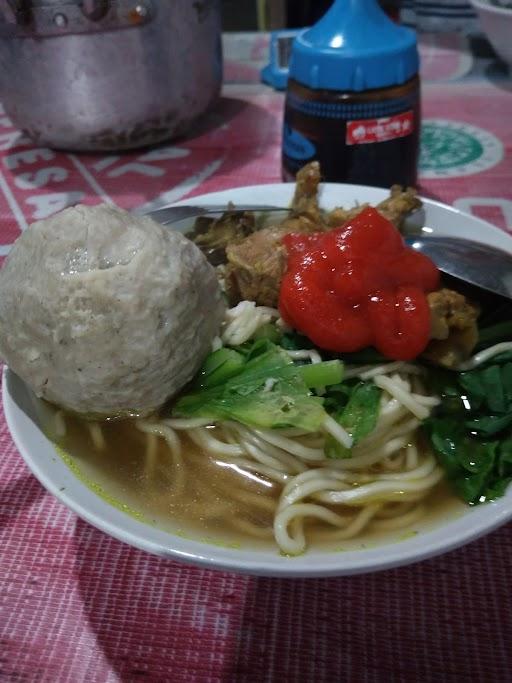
(76, 605)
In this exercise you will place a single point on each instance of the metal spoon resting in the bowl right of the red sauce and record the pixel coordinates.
(473, 262)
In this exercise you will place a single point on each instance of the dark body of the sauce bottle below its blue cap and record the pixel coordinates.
(367, 138)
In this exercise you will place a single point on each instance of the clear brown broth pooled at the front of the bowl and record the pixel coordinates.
(216, 504)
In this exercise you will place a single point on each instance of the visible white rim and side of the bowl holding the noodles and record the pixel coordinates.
(54, 474)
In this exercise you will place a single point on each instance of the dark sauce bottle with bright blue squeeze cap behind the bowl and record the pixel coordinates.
(353, 98)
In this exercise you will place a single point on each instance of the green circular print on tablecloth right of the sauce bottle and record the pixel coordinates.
(453, 148)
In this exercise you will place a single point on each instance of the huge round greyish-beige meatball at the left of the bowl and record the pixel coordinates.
(106, 313)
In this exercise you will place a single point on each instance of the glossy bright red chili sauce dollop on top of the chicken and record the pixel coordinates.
(359, 285)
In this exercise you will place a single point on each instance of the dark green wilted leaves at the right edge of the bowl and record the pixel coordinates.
(471, 432)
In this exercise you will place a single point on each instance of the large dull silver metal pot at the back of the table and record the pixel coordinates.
(108, 74)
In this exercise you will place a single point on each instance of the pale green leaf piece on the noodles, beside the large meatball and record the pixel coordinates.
(267, 390)
